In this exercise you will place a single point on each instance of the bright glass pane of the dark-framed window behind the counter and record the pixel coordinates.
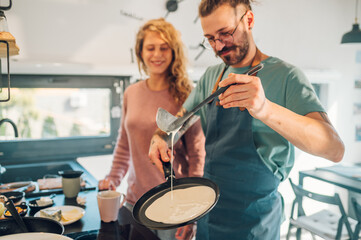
(40, 113)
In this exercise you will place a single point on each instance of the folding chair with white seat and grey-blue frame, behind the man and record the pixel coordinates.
(325, 224)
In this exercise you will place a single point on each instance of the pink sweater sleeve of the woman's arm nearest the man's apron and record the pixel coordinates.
(195, 147)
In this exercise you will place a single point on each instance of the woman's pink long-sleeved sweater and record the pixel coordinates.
(140, 105)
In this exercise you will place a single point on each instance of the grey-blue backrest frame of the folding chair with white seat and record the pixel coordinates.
(300, 193)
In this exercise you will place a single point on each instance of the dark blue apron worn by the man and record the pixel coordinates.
(249, 206)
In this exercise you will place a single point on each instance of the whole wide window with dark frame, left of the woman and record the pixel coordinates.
(58, 117)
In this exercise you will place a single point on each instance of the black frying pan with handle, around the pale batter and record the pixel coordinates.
(149, 197)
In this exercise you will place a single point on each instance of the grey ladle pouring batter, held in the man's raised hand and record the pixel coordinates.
(169, 123)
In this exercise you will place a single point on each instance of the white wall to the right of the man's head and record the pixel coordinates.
(308, 34)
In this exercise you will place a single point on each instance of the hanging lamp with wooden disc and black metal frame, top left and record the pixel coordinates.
(8, 48)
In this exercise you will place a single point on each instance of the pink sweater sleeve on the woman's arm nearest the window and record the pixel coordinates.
(121, 155)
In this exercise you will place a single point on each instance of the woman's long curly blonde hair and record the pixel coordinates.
(179, 83)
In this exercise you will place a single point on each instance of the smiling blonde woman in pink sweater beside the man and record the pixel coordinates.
(161, 57)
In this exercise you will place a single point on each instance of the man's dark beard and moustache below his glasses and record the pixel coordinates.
(240, 53)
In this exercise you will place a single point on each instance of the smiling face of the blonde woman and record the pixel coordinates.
(156, 54)
